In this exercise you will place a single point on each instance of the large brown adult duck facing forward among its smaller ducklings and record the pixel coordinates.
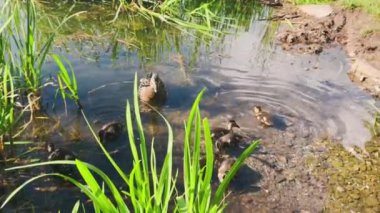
(152, 89)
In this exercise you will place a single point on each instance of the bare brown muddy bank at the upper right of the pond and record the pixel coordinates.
(311, 29)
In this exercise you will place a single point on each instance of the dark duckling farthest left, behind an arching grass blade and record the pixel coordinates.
(60, 154)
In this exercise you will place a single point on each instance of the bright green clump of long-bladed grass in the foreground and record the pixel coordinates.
(150, 190)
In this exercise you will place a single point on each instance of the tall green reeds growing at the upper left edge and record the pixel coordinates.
(25, 50)
